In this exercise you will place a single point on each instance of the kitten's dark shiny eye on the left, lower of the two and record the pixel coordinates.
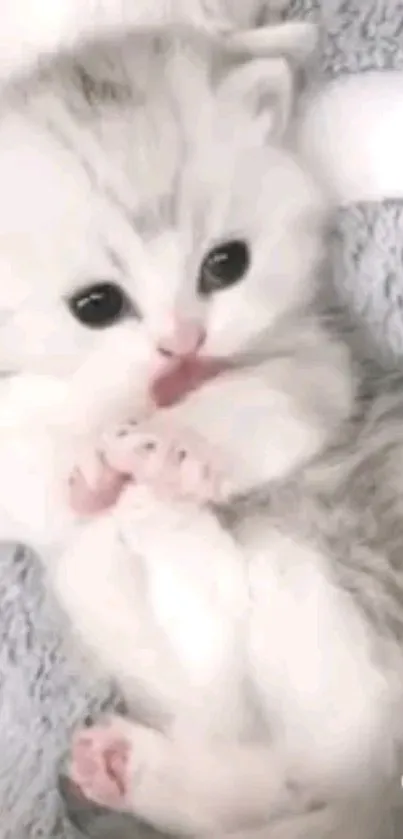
(99, 305)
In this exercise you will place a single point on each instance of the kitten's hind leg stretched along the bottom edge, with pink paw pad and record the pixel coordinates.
(195, 788)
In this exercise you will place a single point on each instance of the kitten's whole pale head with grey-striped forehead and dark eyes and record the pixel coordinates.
(164, 224)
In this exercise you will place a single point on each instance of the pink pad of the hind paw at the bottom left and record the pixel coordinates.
(98, 765)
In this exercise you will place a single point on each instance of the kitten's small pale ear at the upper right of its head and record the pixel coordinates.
(264, 88)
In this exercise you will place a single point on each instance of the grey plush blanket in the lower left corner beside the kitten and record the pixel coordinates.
(41, 698)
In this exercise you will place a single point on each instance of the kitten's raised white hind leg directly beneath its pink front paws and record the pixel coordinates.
(169, 604)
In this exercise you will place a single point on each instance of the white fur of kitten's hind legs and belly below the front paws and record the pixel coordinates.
(211, 620)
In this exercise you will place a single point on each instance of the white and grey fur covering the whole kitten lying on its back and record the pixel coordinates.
(261, 636)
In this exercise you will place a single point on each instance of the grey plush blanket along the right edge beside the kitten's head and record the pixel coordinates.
(357, 36)
